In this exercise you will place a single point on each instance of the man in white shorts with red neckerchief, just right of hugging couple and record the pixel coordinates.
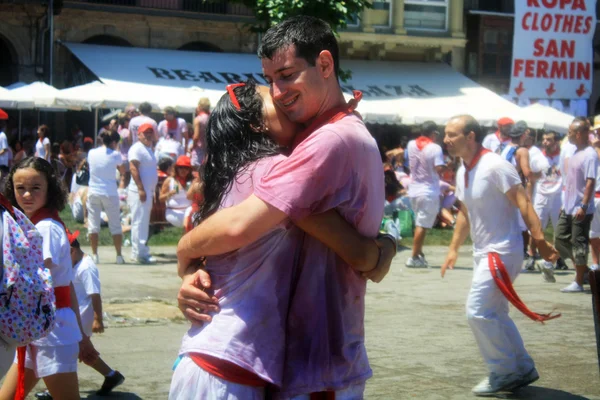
(426, 161)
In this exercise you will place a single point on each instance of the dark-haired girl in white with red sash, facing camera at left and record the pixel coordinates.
(35, 189)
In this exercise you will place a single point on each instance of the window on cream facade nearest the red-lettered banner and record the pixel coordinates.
(429, 15)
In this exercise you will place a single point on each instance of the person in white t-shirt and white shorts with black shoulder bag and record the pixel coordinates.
(104, 162)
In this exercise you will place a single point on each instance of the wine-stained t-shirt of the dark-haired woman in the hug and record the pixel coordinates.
(253, 286)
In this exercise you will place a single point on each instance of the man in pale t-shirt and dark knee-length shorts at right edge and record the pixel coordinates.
(572, 236)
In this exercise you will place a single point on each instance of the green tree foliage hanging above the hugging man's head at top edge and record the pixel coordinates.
(335, 12)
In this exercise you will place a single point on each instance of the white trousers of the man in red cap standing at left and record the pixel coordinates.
(140, 223)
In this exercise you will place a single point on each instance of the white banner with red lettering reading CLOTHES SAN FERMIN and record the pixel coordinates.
(552, 49)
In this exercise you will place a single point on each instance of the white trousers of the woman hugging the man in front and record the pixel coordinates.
(190, 382)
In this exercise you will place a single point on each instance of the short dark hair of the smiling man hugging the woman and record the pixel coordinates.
(309, 35)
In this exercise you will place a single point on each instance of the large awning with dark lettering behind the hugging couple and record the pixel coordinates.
(394, 92)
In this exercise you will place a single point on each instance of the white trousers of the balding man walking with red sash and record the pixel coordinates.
(495, 332)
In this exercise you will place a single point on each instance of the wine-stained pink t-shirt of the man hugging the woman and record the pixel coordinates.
(337, 166)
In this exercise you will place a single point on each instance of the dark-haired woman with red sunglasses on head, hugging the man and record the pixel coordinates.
(241, 351)
